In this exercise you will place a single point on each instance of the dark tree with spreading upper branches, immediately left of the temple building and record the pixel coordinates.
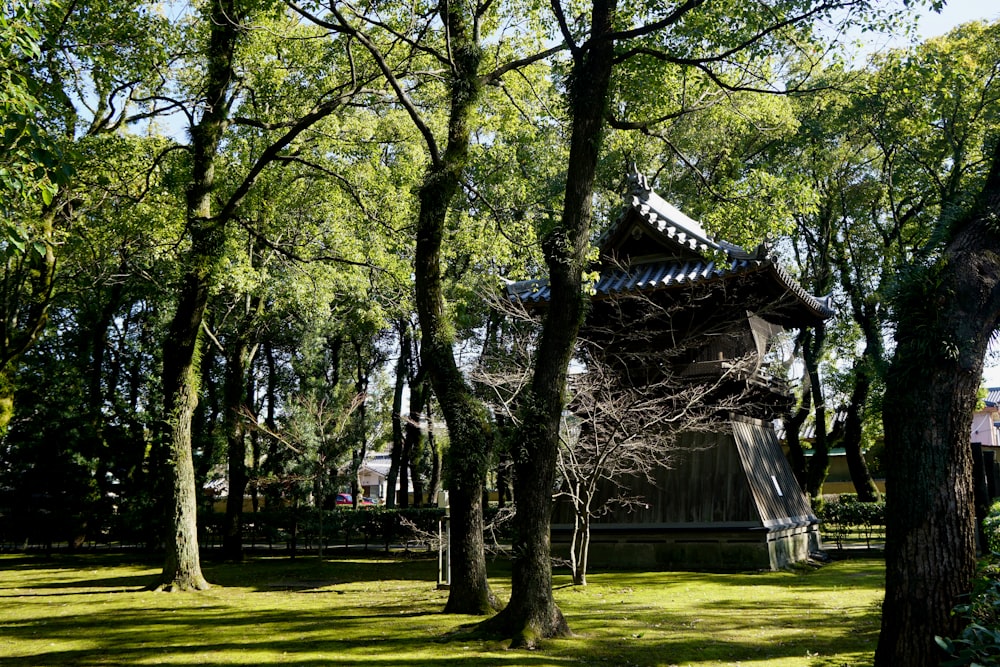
(697, 39)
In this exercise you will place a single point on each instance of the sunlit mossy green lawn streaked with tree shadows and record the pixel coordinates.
(92, 610)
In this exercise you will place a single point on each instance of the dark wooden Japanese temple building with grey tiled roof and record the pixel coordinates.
(671, 301)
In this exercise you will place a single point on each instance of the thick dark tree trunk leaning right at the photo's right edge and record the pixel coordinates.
(946, 314)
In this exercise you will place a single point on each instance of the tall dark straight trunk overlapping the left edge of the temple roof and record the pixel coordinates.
(532, 613)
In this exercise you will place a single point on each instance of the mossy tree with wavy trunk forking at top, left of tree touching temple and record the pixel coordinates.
(451, 38)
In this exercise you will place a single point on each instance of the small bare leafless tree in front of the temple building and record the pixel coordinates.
(621, 428)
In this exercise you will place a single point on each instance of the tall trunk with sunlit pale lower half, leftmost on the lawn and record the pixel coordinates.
(182, 566)
